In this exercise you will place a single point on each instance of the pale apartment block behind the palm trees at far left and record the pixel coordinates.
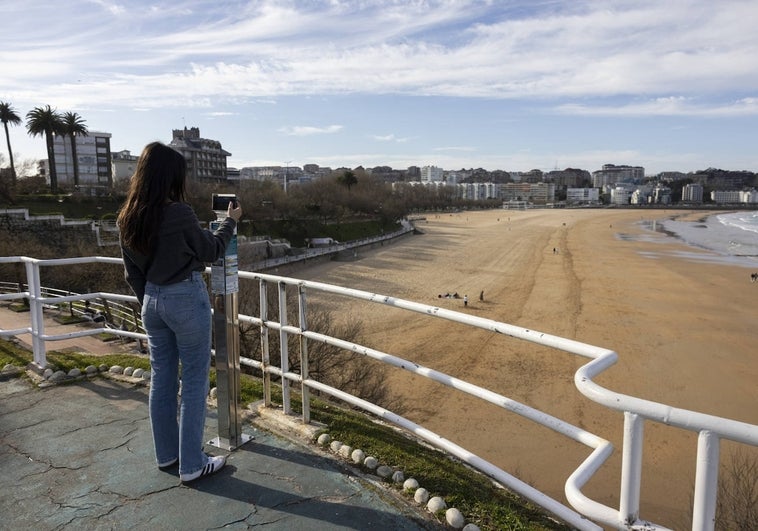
(93, 154)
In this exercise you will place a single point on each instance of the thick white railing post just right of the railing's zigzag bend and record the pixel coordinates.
(631, 468)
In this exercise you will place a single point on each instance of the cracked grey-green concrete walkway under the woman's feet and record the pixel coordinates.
(80, 456)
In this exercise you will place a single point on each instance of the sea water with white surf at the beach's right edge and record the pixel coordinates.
(729, 238)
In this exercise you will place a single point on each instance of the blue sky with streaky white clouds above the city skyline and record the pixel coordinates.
(511, 84)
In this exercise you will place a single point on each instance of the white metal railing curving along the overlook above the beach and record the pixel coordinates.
(586, 513)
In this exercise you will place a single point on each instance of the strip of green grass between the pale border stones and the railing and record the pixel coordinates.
(472, 493)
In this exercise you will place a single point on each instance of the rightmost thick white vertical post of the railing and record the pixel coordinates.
(706, 481)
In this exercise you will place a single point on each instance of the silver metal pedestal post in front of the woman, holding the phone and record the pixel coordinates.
(224, 291)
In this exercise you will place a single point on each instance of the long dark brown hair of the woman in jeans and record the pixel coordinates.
(159, 179)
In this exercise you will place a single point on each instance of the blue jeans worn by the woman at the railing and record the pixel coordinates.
(177, 319)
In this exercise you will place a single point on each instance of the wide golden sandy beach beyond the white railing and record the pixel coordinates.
(685, 332)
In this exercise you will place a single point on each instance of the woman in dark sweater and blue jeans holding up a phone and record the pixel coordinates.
(165, 251)
